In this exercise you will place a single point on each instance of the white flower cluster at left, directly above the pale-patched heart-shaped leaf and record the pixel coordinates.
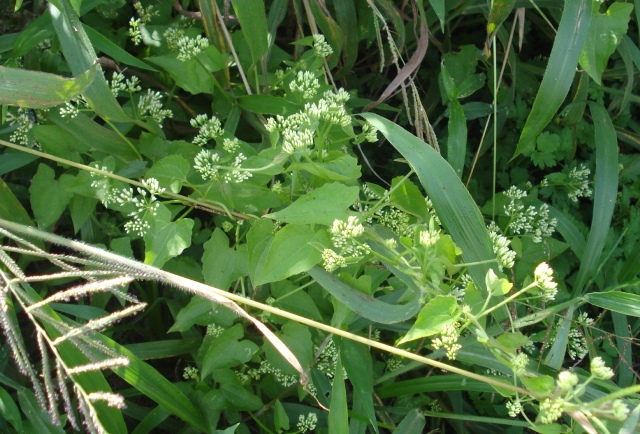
(143, 206)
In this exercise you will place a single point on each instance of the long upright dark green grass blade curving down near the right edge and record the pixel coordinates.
(604, 196)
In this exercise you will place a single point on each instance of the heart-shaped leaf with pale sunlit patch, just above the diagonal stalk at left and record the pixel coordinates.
(166, 239)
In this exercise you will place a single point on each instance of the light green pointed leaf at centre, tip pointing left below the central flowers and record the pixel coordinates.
(322, 206)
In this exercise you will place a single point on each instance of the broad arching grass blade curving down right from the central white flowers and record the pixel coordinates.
(454, 205)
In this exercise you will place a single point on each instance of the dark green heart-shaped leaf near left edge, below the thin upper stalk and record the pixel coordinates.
(49, 197)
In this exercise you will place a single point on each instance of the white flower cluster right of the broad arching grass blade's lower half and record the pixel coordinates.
(528, 220)
